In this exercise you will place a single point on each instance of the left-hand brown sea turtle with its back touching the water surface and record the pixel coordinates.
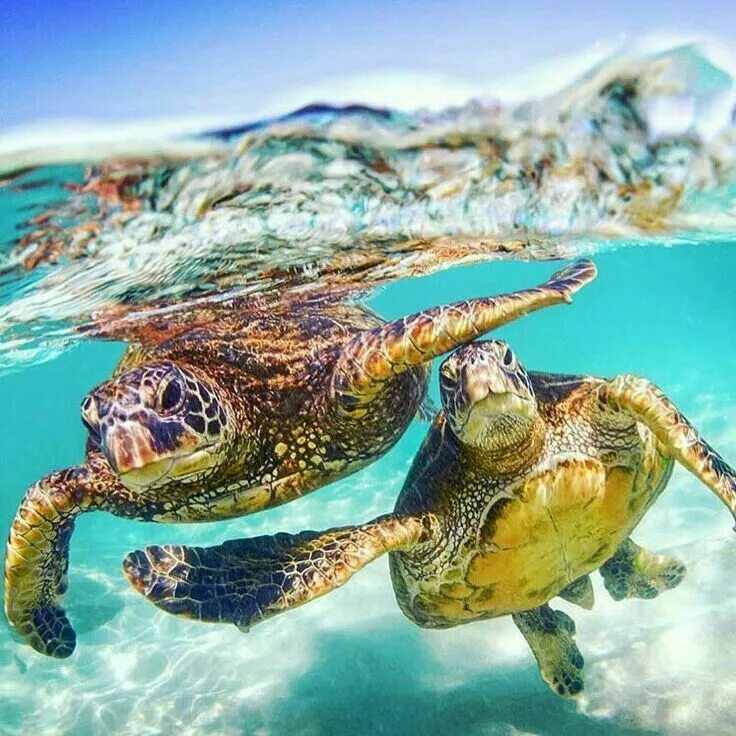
(235, 408)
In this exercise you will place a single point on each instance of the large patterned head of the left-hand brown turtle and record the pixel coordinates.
(157, 424)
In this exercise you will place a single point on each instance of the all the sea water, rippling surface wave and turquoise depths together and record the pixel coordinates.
(633, 164)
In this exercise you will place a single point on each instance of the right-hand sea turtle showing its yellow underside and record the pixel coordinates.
(525, 484)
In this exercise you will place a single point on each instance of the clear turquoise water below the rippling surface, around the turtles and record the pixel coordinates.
(349, 663)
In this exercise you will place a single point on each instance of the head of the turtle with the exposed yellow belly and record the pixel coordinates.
(487, 396)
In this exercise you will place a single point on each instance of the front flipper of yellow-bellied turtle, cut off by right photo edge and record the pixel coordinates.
(646, 403)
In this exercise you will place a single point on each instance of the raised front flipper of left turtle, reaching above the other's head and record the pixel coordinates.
(373, 357)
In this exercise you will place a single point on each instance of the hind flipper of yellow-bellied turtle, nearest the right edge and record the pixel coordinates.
(634, 572)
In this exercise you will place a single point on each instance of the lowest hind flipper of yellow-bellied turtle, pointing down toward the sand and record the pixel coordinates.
(550, 634)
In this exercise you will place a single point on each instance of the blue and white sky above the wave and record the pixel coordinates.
(126, 61)
